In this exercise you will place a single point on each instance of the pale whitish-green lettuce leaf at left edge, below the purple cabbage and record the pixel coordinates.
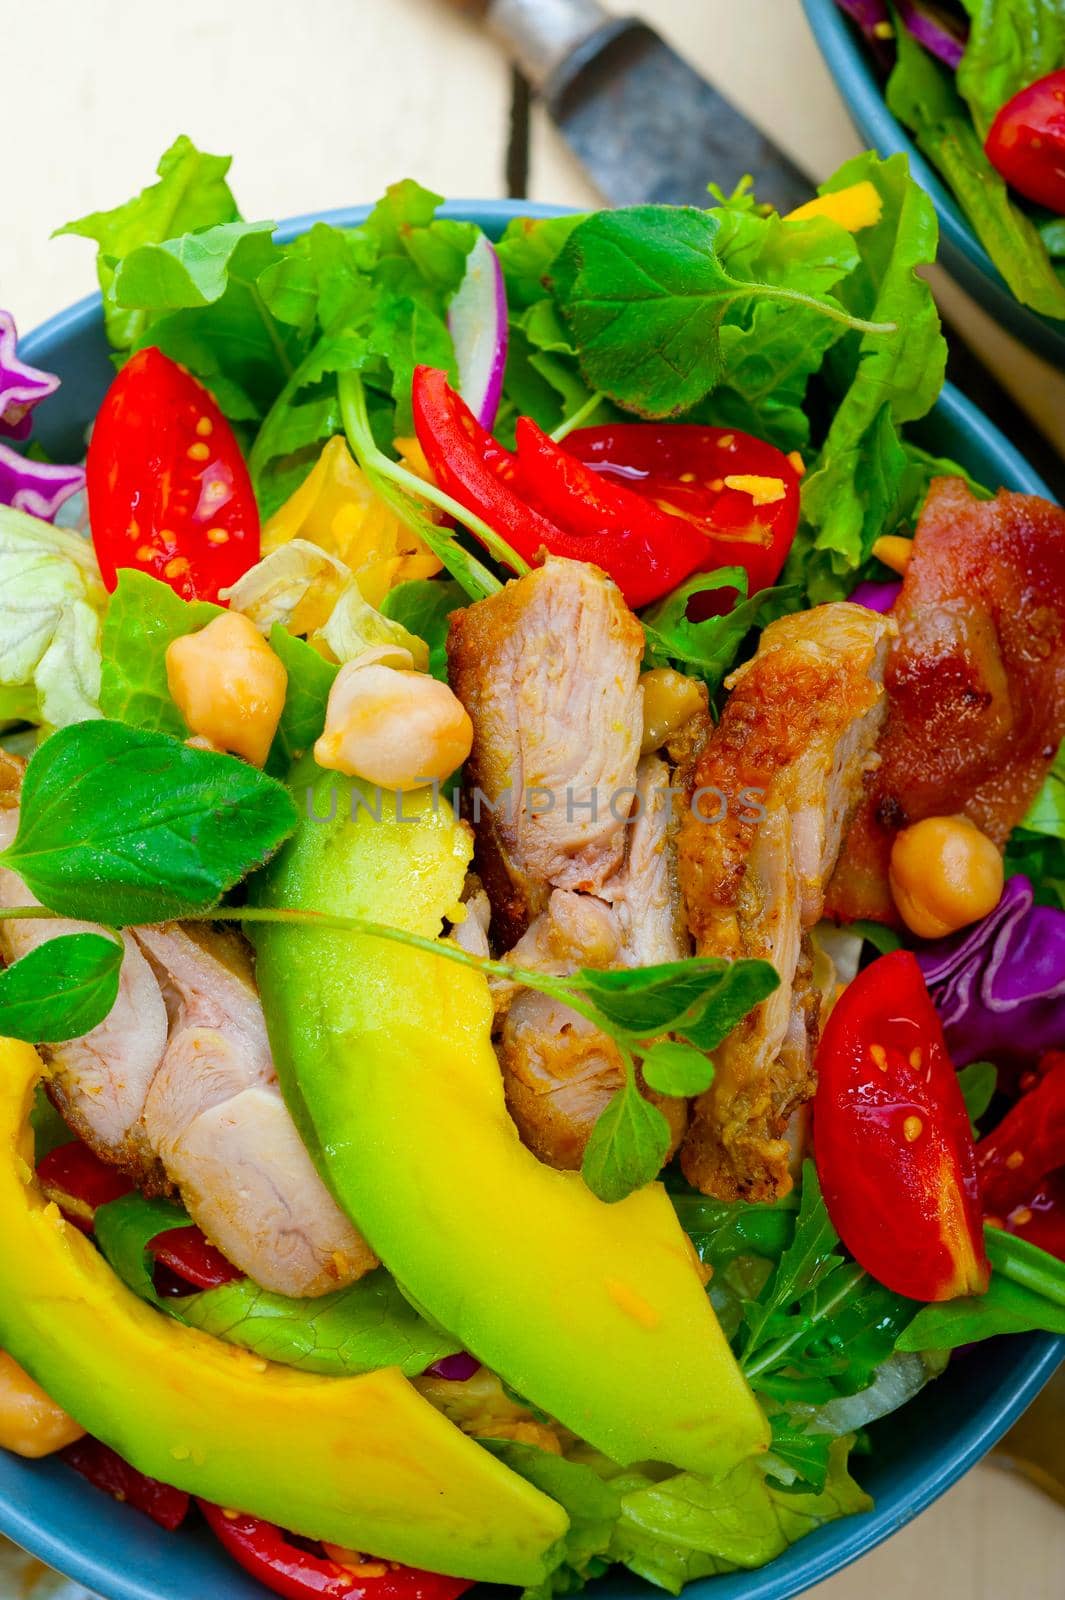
(50, 650)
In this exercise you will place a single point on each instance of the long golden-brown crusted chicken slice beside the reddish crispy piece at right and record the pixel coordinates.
(794, 742)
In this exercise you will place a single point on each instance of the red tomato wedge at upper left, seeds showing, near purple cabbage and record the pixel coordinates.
(169, 489)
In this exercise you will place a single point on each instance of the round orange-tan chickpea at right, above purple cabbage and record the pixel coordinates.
(944, 874)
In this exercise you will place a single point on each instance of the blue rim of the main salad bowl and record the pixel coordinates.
(823, 1553)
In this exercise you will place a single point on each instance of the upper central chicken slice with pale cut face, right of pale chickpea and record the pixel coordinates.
(549, 671)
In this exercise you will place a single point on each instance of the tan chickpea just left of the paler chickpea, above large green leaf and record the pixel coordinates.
(229, 686)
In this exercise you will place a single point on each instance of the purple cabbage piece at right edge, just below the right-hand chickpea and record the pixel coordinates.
(1000, 986)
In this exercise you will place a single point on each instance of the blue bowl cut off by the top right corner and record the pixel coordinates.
(960, 252)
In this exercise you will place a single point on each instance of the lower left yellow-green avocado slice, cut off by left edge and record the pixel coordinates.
(359, 1462)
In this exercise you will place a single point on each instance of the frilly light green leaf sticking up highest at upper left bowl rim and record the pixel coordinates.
(191, 194)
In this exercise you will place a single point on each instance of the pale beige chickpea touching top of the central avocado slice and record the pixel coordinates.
(393, 727)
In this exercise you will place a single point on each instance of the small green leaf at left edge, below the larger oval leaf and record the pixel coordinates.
(62, 990)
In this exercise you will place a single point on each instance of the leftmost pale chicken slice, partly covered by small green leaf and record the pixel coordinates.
(100, 1082)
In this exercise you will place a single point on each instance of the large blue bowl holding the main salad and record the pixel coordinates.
(920, 1452)
